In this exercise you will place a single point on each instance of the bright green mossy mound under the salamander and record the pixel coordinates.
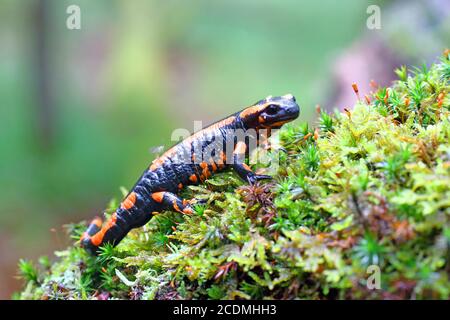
(368, 190)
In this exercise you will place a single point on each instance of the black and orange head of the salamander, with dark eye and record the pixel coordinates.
(271, 112)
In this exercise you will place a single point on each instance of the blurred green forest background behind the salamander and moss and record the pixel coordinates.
(81, 110)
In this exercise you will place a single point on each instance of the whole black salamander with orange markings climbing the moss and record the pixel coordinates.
(189, 162)
